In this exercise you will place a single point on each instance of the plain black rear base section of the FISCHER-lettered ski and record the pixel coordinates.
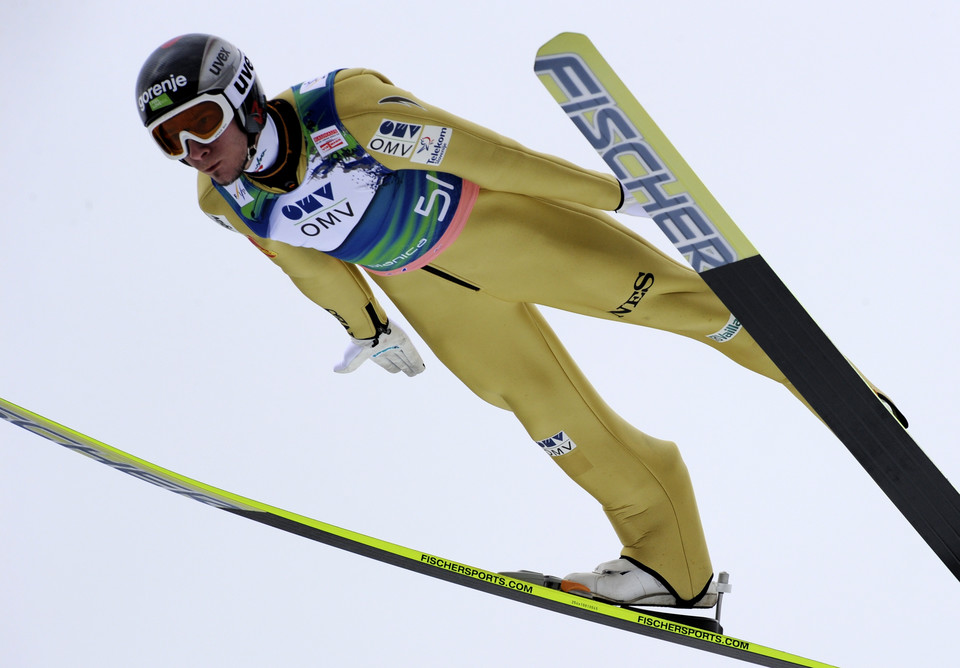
(834, 389)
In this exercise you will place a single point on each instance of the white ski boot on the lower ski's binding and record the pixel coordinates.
(622, 582)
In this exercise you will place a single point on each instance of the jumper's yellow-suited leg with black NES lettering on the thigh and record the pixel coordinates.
(581, 260)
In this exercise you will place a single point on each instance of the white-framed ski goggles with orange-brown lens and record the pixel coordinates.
(202, 120)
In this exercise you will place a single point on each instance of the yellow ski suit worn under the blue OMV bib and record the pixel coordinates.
(536, 234)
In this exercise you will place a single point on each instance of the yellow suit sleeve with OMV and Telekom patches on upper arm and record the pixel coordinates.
(492, 161)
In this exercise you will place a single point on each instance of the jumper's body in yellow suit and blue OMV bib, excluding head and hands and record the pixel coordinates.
(466, 231)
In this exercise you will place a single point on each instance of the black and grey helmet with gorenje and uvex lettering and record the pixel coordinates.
(193, 66)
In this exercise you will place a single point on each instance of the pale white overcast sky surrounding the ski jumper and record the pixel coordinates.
(829, 132)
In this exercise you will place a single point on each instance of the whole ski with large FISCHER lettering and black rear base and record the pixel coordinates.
(652, 170)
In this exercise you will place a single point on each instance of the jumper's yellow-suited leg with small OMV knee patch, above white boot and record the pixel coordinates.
(507, 354)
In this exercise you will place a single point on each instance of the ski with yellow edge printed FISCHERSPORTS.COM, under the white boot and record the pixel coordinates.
(662, 626)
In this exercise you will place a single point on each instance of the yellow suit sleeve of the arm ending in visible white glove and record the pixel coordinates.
(335, 286)
